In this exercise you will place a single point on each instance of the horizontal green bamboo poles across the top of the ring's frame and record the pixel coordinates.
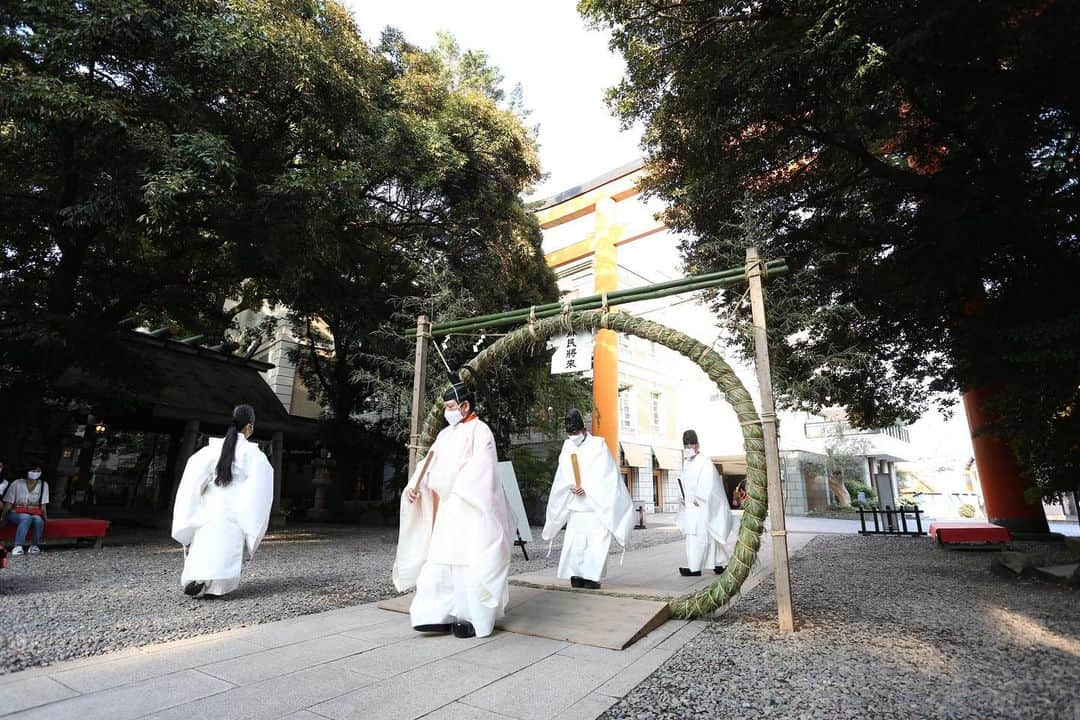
(597, 302)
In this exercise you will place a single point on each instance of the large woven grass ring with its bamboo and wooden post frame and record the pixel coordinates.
(764, 494)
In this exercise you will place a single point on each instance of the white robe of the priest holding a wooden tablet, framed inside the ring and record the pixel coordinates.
(605, 512)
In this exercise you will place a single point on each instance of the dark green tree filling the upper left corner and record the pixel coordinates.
(137, 143)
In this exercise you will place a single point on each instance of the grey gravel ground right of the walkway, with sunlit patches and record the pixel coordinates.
(889, 629)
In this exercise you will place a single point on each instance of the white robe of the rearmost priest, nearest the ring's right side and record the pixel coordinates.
(708, 525)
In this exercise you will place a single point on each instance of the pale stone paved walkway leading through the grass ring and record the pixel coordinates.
(359, 662)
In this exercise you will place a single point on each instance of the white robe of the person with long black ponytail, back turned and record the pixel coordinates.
(215, 525)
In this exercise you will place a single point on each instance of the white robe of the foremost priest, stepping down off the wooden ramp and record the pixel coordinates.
(460, 560)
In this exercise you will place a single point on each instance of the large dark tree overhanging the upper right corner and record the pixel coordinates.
(915, 162)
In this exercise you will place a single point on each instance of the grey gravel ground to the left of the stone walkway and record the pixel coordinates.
(69, 603)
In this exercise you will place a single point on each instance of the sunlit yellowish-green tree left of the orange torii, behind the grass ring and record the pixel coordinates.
(426, 213)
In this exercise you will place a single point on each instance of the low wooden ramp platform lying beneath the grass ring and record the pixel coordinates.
(587, 619)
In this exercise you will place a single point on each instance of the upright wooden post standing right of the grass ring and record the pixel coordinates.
(754, 273)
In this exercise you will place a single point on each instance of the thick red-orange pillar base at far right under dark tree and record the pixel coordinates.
(1000, 473)
